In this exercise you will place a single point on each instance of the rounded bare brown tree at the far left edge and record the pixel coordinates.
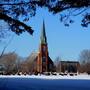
(10, 62)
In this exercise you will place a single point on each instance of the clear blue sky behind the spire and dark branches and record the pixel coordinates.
(66, 42)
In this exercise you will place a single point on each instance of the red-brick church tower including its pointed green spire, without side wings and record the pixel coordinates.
(42, 64)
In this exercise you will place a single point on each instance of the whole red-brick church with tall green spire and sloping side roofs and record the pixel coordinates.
(41, 62)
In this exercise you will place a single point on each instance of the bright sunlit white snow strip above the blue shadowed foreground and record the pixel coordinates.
(80, 76)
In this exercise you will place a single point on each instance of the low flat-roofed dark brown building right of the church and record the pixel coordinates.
(69, 66)
